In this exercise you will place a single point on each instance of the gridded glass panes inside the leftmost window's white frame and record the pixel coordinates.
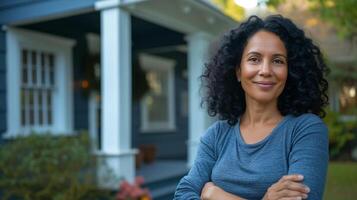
(37, 88)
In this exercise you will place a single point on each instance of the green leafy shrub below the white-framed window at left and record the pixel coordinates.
(48, 167)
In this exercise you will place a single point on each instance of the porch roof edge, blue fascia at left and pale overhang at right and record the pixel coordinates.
(186, 16)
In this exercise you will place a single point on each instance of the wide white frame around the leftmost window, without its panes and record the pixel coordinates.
(62, 99)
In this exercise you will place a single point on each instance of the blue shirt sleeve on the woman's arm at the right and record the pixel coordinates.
(309, 155)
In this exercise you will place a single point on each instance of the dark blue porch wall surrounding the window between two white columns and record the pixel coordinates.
(171, 145)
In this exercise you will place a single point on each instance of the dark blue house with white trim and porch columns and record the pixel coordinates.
(125, 70)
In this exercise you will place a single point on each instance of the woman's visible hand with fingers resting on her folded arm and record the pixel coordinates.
(289, 187)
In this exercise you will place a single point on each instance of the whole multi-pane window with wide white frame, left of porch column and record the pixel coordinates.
(39, 84)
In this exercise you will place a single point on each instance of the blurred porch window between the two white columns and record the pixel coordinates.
(158, 106)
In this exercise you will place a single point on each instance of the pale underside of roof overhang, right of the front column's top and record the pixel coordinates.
(185, 16)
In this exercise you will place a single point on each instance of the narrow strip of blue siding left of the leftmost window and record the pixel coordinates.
(2, 83)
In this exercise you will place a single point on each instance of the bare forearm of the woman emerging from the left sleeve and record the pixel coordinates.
(212, 192)
